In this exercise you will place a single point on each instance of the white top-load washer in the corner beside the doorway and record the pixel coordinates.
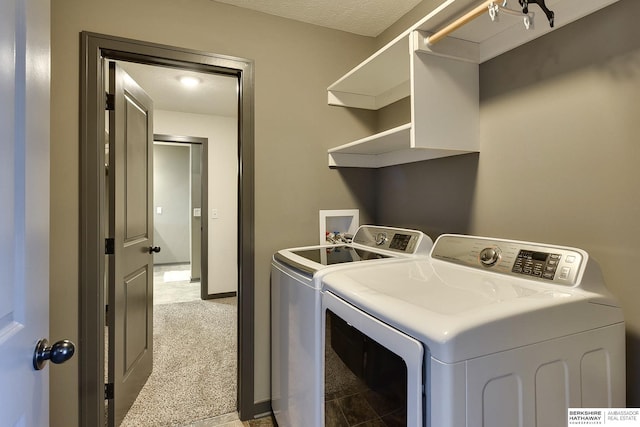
(295, 312)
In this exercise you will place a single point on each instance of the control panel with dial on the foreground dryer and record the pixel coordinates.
(556, 264)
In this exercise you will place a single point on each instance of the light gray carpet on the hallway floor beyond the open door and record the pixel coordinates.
(194, 365)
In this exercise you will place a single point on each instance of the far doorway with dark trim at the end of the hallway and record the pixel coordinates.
(180, 187)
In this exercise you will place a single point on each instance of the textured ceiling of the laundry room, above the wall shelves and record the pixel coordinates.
(364, 17)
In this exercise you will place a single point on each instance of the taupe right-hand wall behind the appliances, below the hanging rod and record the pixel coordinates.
(559, 157)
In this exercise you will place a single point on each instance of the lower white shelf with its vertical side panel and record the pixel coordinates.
(444, 118)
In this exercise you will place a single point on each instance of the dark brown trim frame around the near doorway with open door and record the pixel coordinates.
(95, 50)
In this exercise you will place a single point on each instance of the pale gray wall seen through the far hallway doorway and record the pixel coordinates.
(171, 194)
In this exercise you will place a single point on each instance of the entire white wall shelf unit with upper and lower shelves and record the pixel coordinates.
(437, 88)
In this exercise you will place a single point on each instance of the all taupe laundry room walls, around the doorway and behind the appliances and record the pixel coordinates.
(584, 87)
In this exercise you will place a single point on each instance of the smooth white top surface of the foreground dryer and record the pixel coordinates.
(461, 313)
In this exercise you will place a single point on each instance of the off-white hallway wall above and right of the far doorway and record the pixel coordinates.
(222, 135)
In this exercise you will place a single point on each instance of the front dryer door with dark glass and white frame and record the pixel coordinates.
(372, 372)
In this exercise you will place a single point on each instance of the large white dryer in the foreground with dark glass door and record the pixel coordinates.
(485, 332)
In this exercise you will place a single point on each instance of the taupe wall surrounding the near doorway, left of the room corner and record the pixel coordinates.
(294, 64)
